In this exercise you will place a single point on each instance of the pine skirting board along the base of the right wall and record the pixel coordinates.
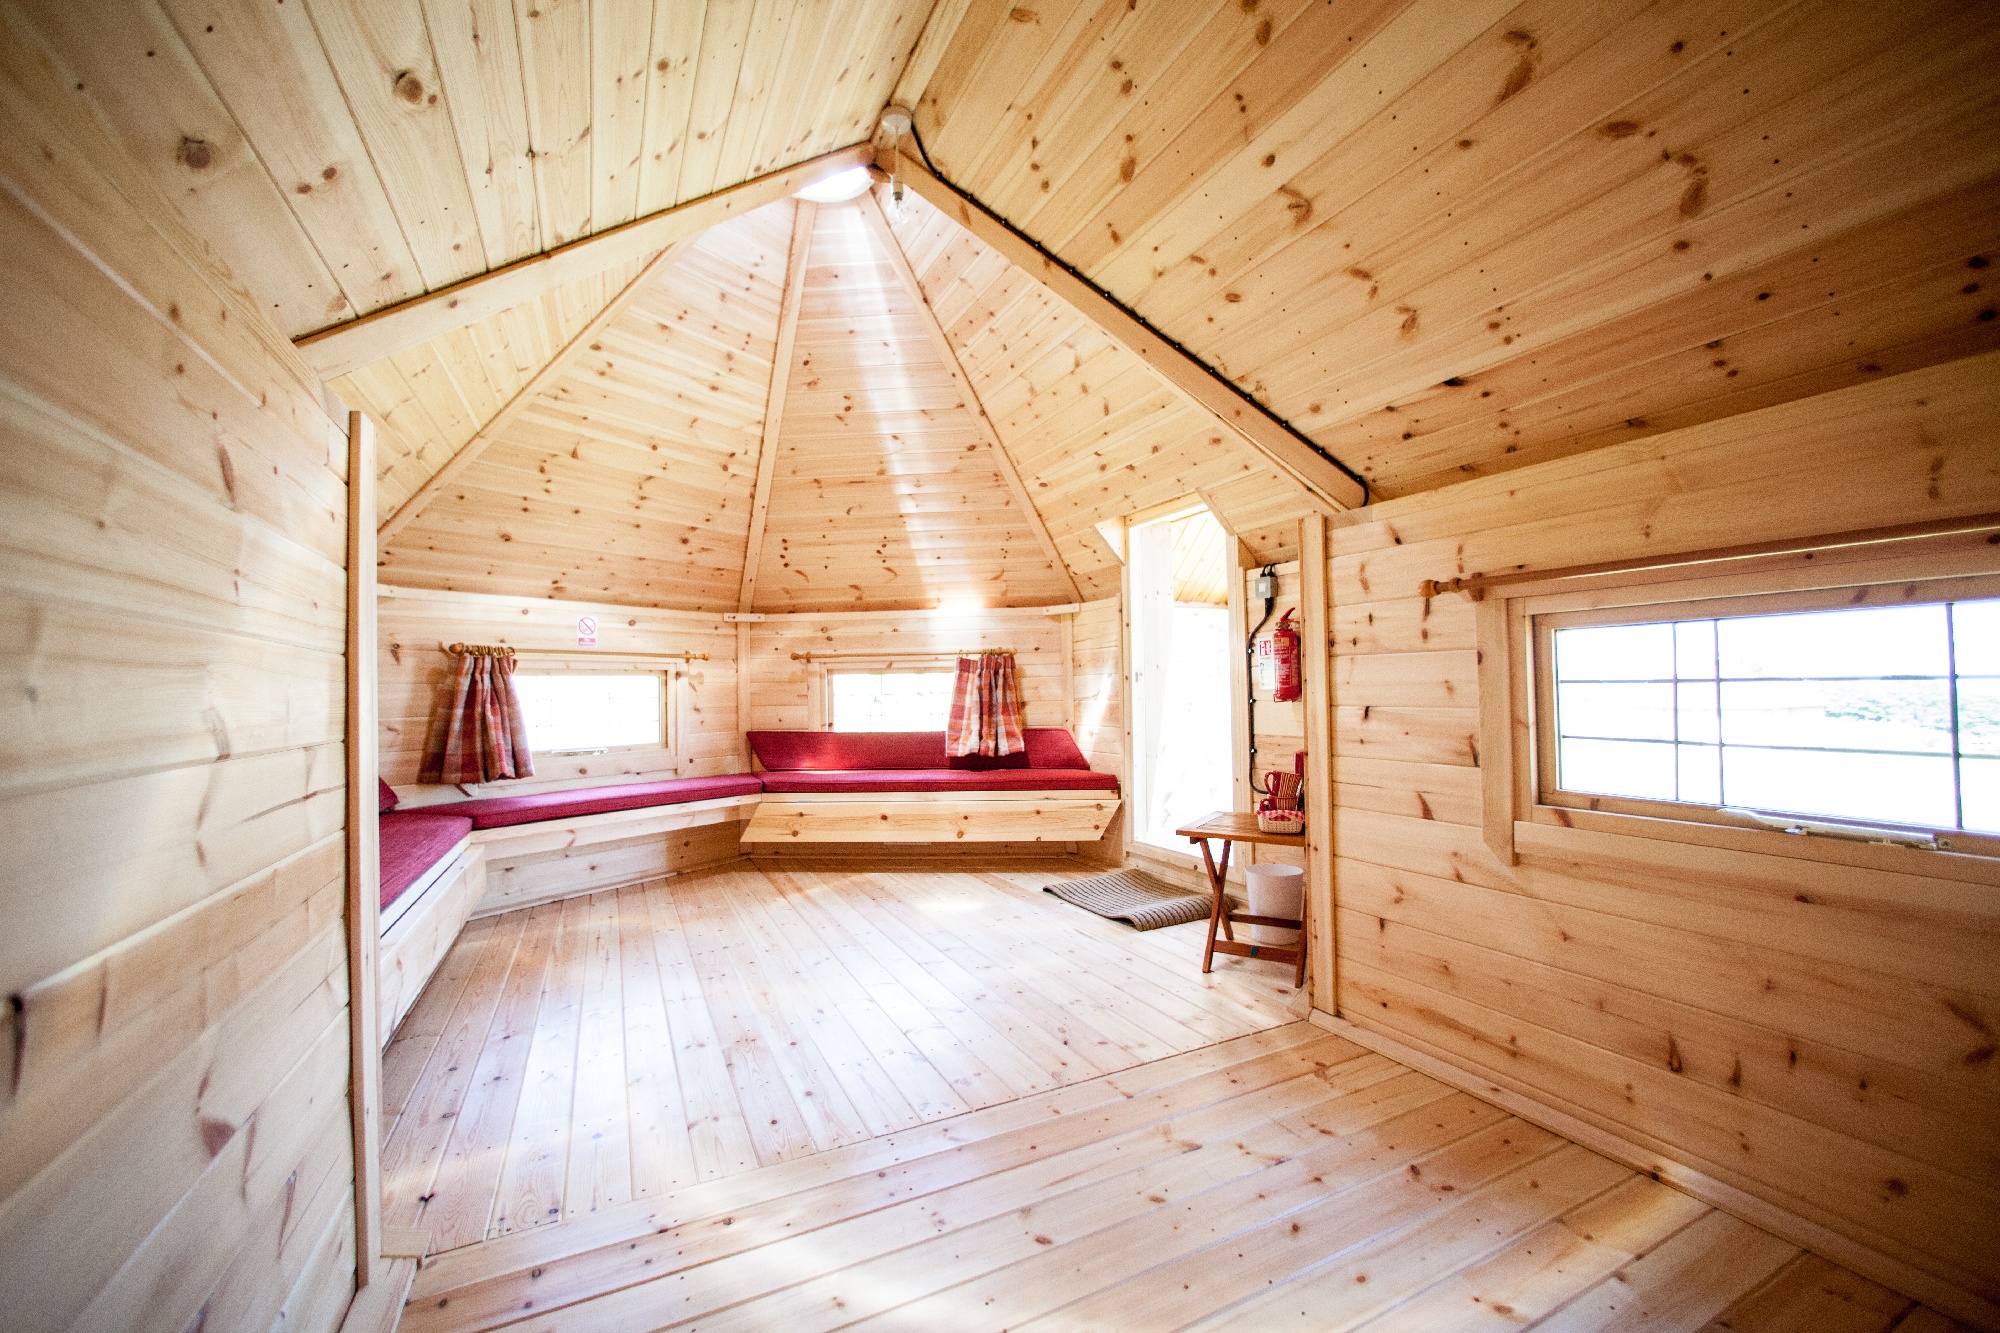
(1781, 1222)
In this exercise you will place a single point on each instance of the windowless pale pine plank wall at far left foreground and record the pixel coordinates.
(175, 1136)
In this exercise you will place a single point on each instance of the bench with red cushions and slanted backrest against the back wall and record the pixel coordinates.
(903, 788)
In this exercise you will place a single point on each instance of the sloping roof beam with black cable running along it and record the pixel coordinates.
(1189, 377)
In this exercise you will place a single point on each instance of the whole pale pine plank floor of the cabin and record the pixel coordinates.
(823, 1098)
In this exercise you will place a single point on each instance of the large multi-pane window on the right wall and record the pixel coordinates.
(1799, 706)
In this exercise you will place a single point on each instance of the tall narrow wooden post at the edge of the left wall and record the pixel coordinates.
(365, 862)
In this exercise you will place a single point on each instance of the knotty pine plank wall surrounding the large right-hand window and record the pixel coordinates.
(1811, 1034)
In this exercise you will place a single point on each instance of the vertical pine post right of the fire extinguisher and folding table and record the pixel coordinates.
(1315, 597)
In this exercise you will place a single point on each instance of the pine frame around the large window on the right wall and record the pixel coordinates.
(1529, 814)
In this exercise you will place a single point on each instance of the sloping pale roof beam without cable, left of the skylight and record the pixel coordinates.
(345, 347)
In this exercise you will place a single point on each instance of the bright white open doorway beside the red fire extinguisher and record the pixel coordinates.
(1181, 674)
